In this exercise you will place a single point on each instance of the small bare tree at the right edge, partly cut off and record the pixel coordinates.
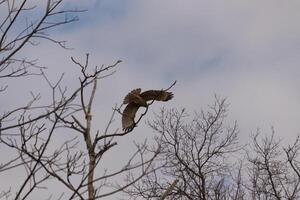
(272, 173)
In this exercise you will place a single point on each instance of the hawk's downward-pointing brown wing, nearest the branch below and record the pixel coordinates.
(128, 116)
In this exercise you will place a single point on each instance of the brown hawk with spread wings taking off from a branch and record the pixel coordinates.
(136, 99)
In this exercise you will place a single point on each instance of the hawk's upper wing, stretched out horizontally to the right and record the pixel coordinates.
(157, 95)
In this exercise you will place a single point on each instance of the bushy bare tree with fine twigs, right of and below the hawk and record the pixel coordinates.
(198, 154)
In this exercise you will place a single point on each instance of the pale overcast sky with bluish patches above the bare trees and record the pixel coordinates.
(247, 51)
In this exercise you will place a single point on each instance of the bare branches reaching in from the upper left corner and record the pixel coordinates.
(20, 26)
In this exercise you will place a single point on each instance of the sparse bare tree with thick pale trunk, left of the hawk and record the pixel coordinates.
(73, 166)
